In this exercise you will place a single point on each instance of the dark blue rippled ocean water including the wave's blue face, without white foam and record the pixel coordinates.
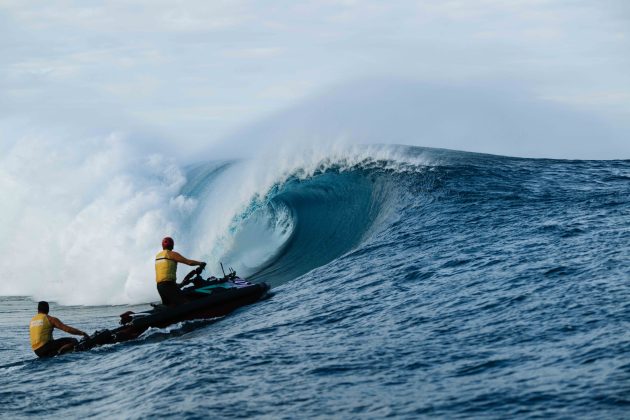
(476, 286)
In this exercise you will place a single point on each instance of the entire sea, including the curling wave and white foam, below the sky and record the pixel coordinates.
(407, 282)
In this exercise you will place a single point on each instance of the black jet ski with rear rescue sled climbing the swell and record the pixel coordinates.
(209, 298)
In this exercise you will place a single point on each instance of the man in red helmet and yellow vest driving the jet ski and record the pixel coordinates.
(166, 272)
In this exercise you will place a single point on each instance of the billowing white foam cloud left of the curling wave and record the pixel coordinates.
(80, 219)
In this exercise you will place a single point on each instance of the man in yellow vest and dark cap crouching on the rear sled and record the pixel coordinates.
(41, 328)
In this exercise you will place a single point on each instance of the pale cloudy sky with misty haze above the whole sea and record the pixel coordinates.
(535, 78)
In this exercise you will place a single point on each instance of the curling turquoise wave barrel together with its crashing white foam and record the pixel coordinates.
(85, 218)
